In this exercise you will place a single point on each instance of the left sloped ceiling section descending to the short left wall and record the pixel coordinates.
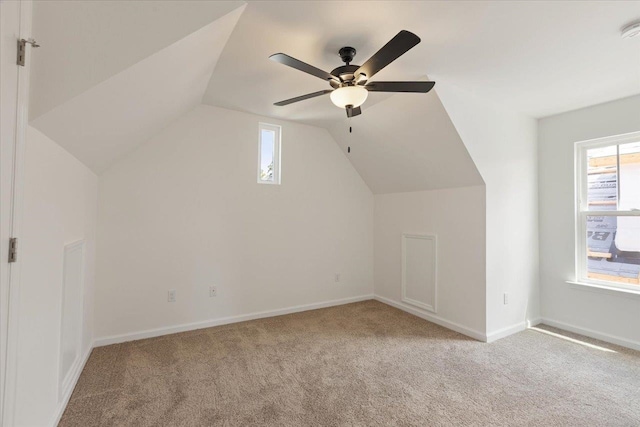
(110, 119)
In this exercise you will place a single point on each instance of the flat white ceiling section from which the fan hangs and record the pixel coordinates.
(538, 58)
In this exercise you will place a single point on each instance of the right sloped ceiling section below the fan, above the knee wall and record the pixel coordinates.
(419, 149)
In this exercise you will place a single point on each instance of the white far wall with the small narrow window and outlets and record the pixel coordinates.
(184, 212)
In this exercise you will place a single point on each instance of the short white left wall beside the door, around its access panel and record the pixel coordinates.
(60, 207)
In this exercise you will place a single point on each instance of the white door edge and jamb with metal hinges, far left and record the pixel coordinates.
(14, 93)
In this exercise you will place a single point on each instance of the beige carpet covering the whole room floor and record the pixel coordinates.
(363, 364)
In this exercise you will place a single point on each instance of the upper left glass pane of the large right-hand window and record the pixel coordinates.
(602, 178)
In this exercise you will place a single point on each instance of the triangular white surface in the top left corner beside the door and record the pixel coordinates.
(86, 42)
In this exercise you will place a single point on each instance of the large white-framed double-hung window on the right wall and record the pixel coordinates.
(608, 211)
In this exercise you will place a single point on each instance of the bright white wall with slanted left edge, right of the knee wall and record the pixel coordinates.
(503, 145)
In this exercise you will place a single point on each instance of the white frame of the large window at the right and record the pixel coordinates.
(582, 208)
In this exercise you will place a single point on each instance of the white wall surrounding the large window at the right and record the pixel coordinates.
(605, 314)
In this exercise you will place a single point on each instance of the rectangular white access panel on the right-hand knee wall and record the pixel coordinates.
(419, 271)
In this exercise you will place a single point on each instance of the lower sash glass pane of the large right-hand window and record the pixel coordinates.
(613, 245)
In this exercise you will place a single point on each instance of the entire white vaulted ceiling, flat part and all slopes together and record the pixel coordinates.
(111, 74)
